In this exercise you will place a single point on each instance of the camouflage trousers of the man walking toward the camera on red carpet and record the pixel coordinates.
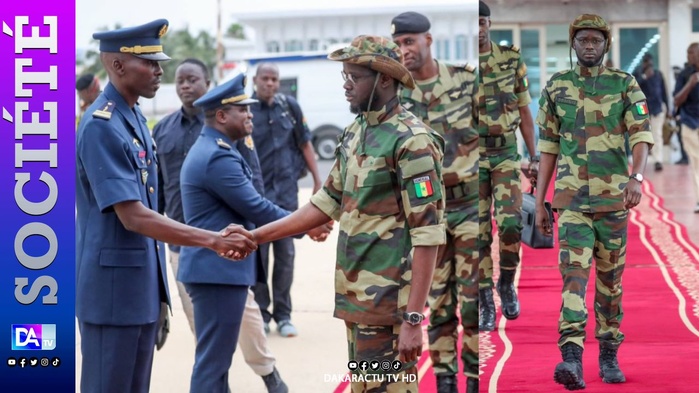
(583, 236)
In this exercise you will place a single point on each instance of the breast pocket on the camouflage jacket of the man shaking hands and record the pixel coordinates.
(375, 192)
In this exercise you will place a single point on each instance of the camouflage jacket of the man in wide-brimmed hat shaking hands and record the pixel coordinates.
(385, 189)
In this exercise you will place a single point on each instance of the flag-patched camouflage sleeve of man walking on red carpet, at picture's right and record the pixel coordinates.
(636, 116)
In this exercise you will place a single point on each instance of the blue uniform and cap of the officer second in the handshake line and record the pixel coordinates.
(217, 189)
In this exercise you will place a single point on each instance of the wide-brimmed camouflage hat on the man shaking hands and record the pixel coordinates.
(378, 53)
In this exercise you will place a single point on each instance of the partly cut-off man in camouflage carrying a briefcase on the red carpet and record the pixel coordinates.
(502, 108)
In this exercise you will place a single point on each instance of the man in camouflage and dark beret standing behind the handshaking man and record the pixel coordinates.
(443, 99)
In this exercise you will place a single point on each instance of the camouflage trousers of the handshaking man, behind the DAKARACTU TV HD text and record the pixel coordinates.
(379, 343)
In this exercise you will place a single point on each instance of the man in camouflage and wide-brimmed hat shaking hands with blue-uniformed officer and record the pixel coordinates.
(385, 188)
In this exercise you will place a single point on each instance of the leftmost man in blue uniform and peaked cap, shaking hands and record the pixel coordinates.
(120, 263)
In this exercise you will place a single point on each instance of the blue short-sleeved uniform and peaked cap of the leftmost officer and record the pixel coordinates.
(120, 275)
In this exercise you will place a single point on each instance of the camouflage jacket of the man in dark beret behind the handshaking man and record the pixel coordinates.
(445, 103)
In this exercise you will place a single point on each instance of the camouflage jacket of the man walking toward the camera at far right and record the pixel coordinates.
(583, 116)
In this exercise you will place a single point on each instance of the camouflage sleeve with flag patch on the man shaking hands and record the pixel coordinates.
(419, 171)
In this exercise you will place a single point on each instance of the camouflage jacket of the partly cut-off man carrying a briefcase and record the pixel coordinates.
(505, 88)
